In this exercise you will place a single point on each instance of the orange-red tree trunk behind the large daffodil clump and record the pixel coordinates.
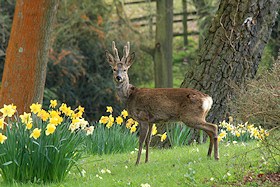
(26, 60)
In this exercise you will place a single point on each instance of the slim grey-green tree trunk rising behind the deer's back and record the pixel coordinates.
(163, 46)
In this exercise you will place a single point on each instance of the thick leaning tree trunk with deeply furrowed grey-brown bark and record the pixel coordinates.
(232, 50)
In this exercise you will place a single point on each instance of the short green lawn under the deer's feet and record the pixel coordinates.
(167, 167)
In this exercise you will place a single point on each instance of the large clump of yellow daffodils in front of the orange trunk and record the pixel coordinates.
(39, 146)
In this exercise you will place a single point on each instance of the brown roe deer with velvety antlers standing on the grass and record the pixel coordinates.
(156, 105)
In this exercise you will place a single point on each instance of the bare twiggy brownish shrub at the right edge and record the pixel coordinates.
(259, 102)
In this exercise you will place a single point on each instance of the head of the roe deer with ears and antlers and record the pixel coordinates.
(120, 67)
